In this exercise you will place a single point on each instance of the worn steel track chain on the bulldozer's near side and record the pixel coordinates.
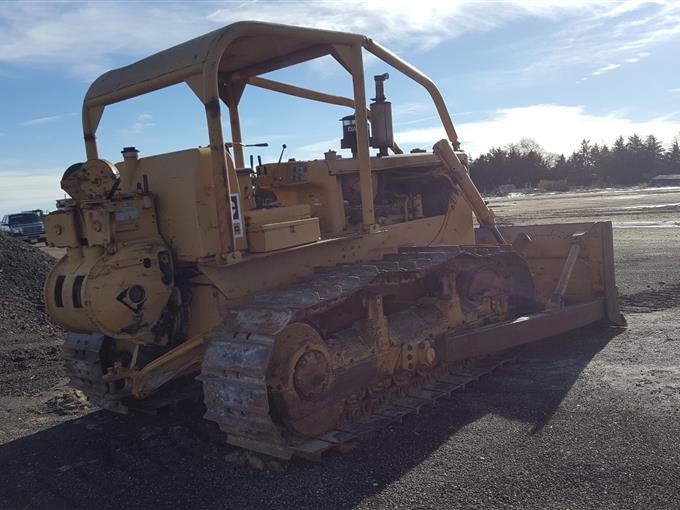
(236, 362)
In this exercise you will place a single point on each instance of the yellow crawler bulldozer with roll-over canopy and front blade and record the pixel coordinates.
(313, 301)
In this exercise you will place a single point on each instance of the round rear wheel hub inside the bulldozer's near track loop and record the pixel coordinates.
(301, 382)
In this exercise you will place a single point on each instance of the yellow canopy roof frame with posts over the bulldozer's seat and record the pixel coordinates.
(218, 65)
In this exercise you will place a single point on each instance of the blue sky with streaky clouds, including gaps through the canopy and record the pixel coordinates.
(554, 71)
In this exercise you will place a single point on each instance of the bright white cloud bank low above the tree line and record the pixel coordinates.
(557, 128)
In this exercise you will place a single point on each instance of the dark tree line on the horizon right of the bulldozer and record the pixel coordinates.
(626, 162)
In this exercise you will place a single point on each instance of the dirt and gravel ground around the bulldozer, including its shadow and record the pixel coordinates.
(584, 420)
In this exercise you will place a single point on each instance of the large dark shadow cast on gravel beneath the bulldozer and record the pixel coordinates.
(172, 461)
